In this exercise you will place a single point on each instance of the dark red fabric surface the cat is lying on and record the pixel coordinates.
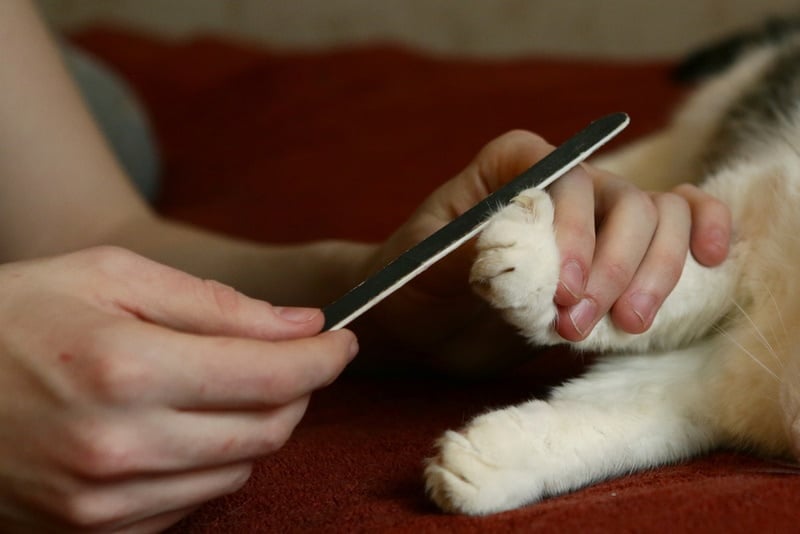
(284, 147)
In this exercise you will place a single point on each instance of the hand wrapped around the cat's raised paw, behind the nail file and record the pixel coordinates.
(622, 250)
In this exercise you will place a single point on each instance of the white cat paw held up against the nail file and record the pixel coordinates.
(517, 266)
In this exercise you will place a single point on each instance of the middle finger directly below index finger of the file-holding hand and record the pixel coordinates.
(162, 440)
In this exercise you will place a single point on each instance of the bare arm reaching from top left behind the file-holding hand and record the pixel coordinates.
(61, 189)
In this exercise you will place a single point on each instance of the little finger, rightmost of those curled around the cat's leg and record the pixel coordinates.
(711, 225)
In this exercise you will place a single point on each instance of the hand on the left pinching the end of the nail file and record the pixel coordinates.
(131, 393)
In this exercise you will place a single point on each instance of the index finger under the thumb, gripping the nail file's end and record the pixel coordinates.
(139, 363)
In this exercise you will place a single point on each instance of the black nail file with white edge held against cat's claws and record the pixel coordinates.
(430, 250)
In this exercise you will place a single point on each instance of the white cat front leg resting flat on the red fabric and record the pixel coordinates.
(626, 414)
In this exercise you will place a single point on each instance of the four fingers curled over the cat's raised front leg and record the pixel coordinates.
(623, 249)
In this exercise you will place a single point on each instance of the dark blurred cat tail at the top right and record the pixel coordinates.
(717, 56)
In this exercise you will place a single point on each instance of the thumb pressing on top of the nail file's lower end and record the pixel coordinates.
(172, 298)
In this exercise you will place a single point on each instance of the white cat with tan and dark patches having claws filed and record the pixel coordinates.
(720, 366)
